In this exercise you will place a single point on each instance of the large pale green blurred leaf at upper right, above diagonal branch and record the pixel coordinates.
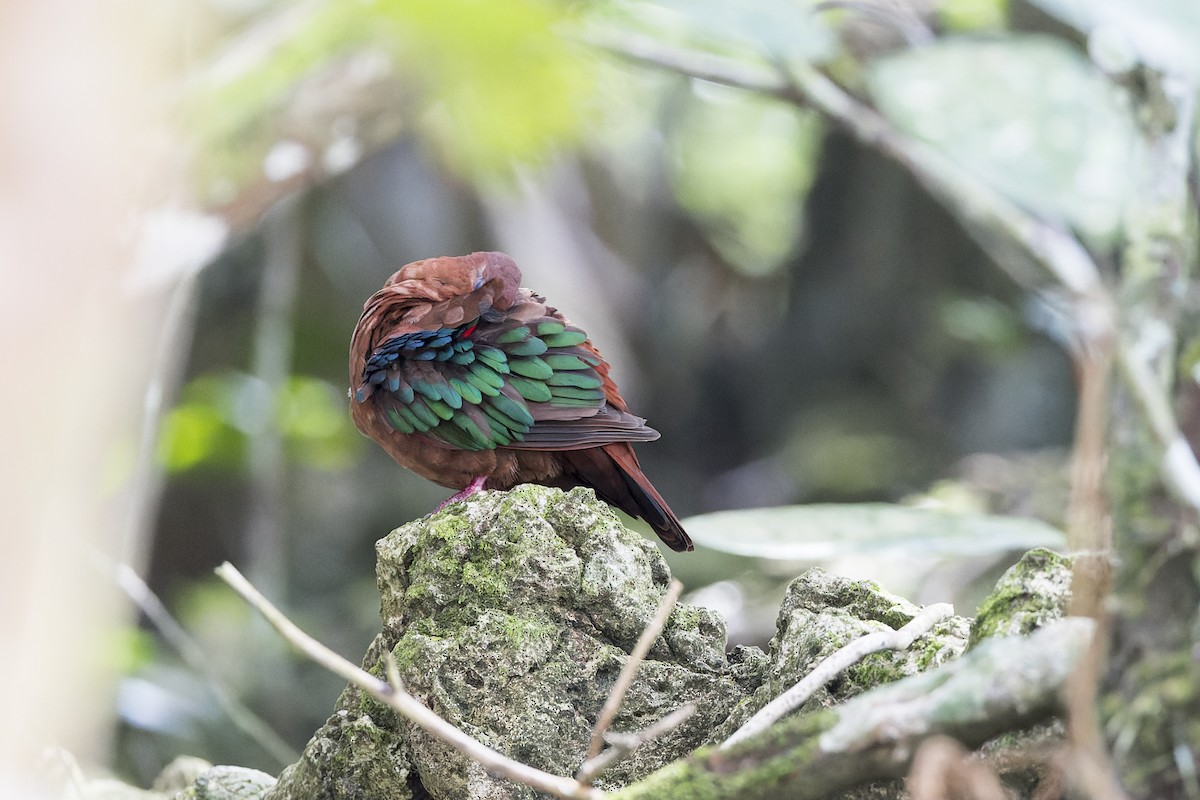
(1029, 116)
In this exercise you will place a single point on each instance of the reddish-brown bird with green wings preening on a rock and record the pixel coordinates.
(475, 383)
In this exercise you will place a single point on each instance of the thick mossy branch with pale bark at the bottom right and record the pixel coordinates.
(1003, 685)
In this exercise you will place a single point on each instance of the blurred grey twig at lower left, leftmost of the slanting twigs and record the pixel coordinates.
(247, 721)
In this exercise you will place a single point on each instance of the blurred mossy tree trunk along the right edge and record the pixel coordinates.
(1150, 701)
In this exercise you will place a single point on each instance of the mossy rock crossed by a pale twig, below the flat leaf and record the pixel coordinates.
(821, 613)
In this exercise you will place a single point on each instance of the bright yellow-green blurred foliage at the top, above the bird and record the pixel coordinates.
(488, 85)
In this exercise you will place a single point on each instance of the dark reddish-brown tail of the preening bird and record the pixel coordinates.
(614, 472)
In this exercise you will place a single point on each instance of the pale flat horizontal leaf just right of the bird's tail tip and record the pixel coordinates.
(819, 533)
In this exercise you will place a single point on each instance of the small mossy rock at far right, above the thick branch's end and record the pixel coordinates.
(1030, 594)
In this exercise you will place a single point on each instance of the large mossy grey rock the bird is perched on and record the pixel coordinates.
(511, 616)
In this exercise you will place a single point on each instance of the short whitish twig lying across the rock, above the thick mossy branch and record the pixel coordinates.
(835, 665)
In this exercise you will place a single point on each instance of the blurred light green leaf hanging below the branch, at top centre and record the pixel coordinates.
(743, 166)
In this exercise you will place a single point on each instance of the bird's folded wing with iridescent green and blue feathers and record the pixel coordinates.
(472, 377)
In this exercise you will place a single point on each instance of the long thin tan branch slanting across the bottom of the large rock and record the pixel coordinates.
(405, 703)
